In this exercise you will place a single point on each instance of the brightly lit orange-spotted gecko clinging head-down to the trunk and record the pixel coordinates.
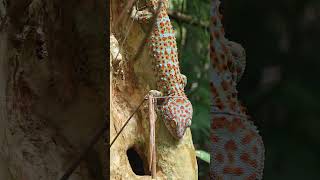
(176, 112)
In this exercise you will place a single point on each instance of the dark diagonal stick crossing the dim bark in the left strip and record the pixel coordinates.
(84, 153)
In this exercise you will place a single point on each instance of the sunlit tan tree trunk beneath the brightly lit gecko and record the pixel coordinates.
(130, 82)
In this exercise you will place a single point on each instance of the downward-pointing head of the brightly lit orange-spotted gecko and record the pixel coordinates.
(177, 115)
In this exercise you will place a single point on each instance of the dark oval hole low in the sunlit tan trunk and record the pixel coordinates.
(136, 162)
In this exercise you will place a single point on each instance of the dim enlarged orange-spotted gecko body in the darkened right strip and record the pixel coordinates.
(237, 150)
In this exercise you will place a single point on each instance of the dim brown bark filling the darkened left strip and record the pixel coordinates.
(52, 79)
